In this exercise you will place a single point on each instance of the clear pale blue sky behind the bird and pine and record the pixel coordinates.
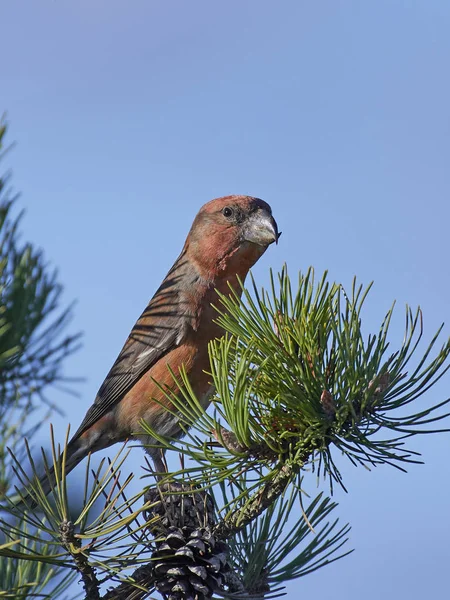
(128, 116)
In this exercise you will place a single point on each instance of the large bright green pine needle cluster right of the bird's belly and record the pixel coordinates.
(297, 379)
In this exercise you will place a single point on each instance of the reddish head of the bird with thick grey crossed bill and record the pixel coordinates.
(230, 234)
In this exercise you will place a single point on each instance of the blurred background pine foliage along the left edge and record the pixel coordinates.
(33, 347)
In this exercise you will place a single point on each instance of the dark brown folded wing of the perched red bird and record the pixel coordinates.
(161, 327)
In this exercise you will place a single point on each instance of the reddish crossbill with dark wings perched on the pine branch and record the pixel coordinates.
(228, 236)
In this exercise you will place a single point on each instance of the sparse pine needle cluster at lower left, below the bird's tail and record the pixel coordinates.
(107, 533)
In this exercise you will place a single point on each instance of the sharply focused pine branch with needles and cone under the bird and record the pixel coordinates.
(297, 381)
